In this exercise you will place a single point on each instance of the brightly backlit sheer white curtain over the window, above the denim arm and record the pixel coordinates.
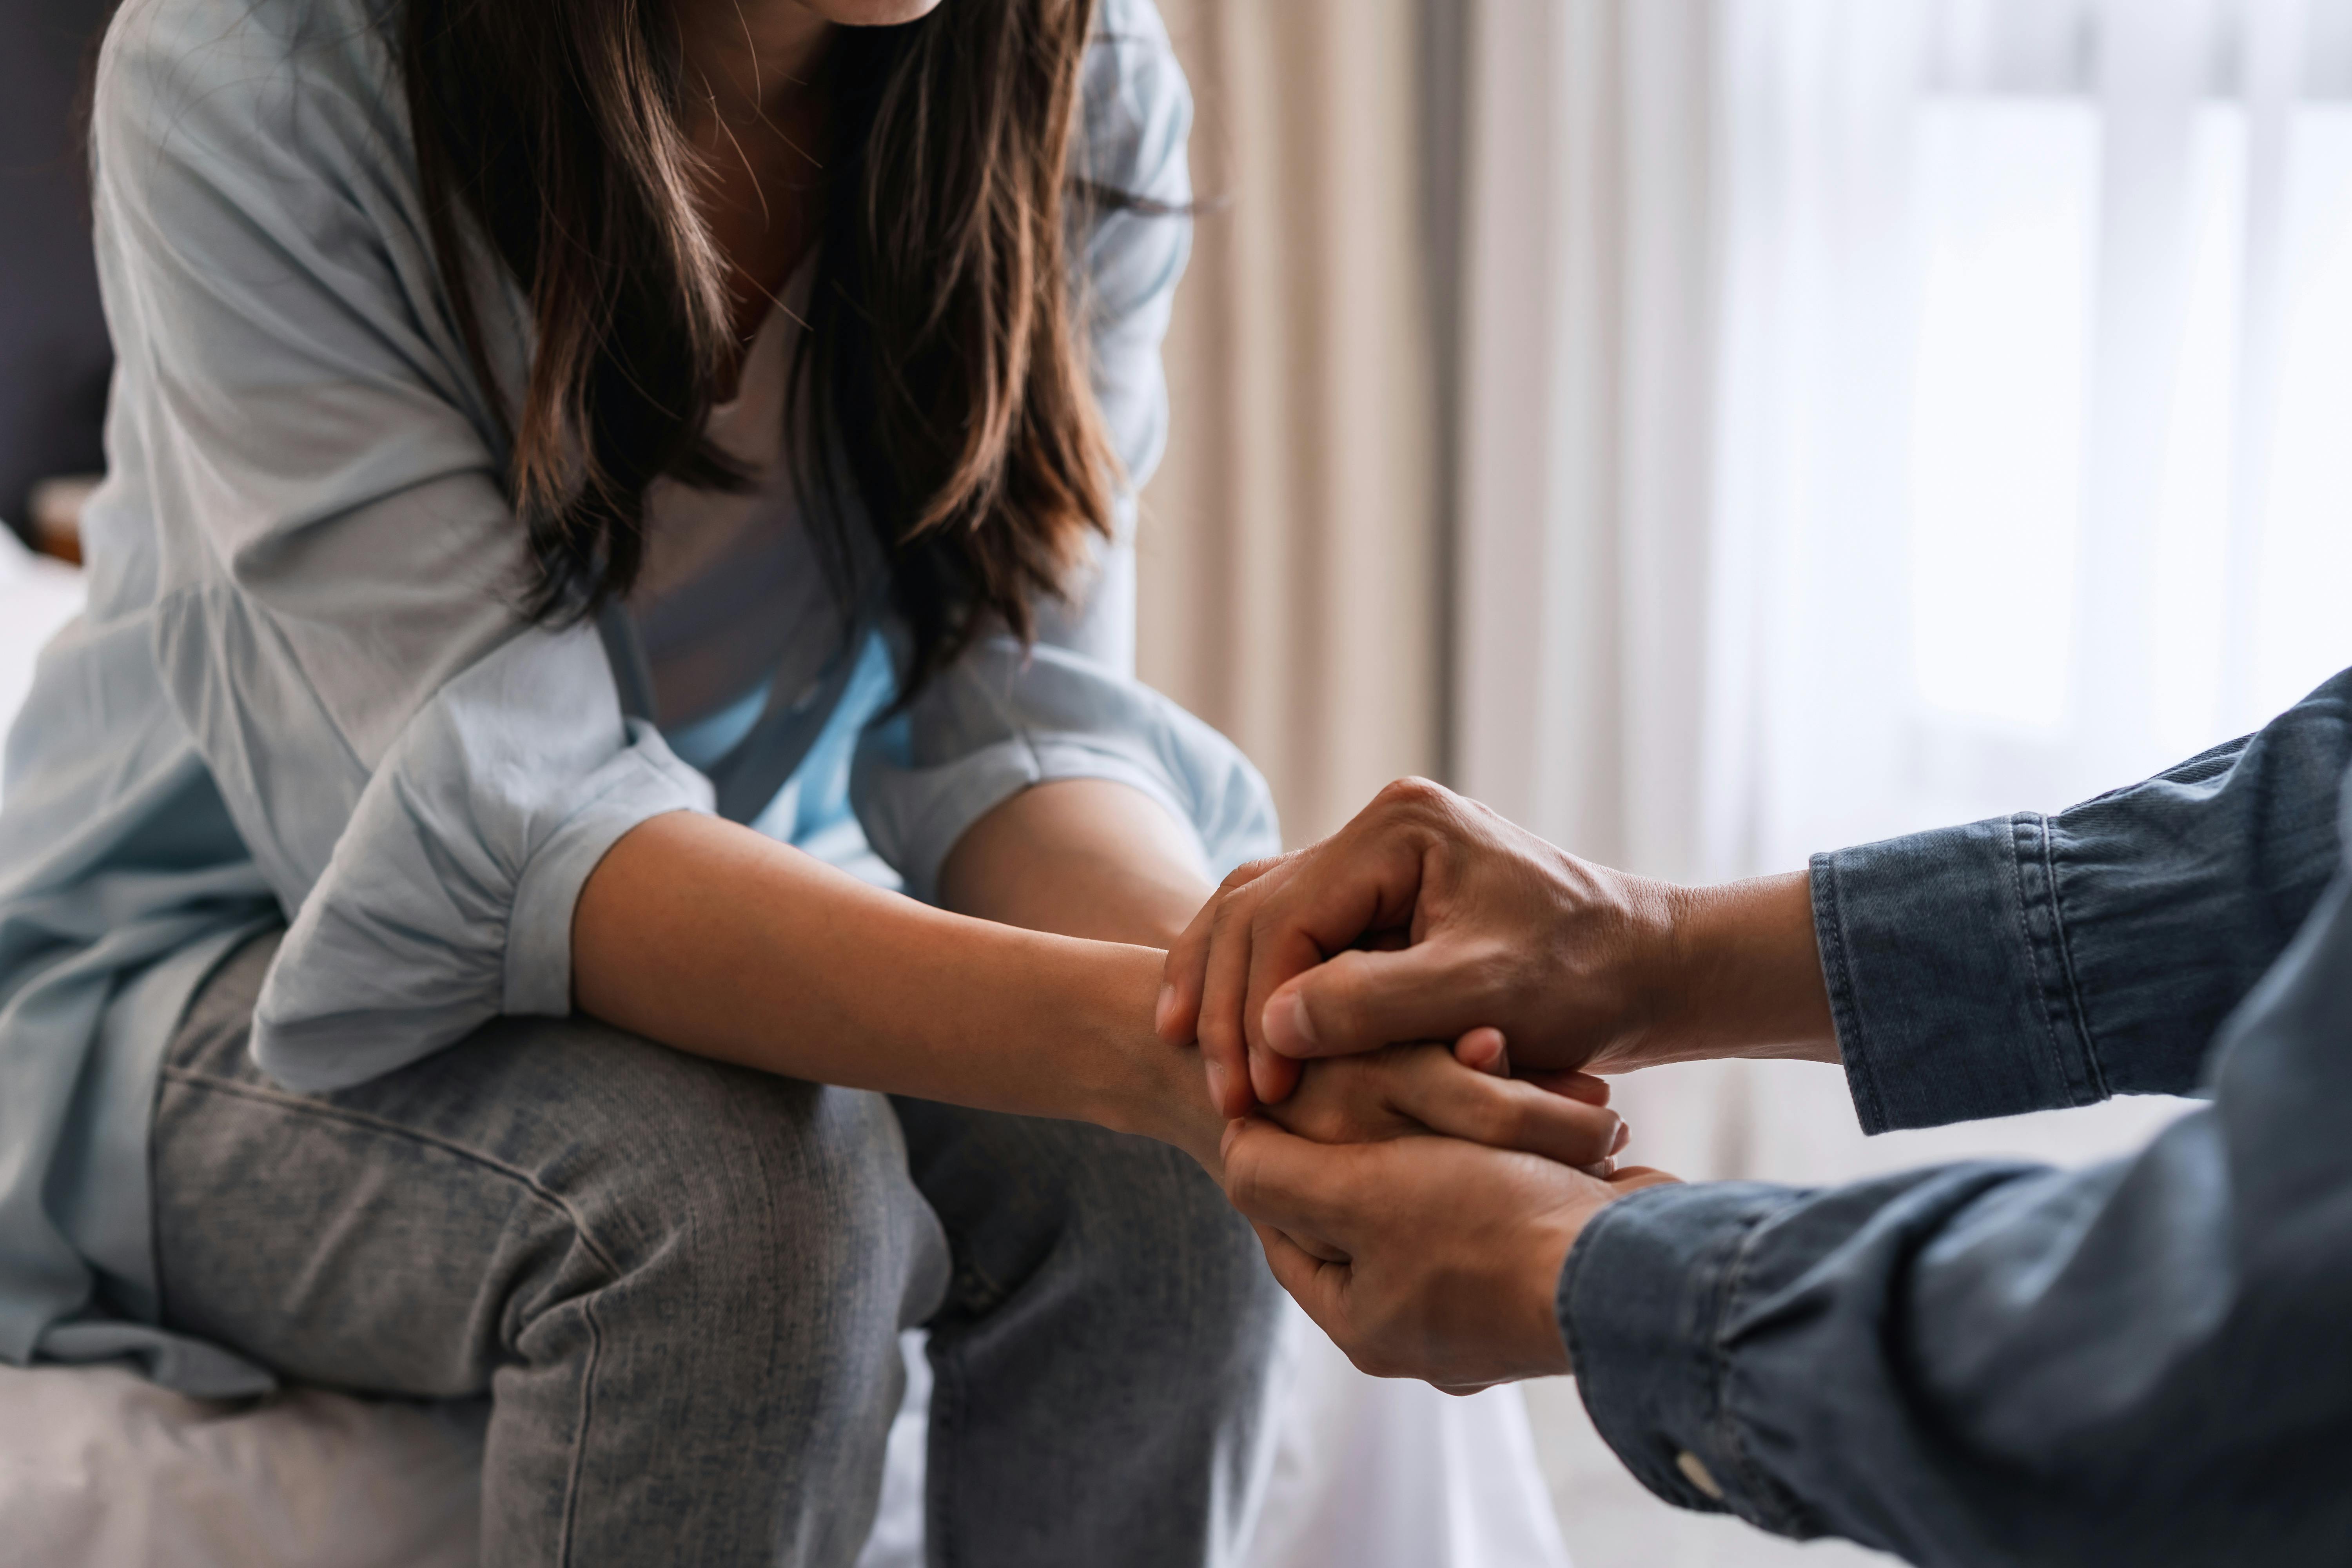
(2036, 398)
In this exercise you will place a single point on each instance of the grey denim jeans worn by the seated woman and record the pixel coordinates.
(681, 1287)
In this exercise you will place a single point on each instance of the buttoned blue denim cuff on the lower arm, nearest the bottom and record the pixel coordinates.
(1643, 1301)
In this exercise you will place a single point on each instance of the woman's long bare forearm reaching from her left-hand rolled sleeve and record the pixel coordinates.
(726, 944)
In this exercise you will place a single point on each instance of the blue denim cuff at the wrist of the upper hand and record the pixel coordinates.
(1949, 977)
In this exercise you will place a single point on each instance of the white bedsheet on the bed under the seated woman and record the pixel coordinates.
(100, 1468)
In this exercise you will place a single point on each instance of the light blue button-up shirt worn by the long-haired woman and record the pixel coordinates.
(302, 690)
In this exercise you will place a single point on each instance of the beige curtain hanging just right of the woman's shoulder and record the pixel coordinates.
(1290, 549)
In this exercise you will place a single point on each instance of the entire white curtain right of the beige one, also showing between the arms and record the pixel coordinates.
(1892, 413)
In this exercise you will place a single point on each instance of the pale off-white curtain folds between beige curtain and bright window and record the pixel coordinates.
(1589, 349)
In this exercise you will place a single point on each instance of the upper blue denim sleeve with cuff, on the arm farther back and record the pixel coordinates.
(2036, 963)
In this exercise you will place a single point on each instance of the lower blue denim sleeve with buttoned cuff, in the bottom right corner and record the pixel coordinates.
(2139, 1362)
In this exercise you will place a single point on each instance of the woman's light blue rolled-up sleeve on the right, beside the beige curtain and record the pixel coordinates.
(1008, 718)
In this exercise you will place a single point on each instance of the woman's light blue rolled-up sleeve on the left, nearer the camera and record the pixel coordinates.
(420, 770)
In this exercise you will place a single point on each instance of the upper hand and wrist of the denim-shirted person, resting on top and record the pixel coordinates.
(1431, 916)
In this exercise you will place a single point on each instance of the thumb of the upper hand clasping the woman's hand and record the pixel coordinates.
(1368, 1000)
